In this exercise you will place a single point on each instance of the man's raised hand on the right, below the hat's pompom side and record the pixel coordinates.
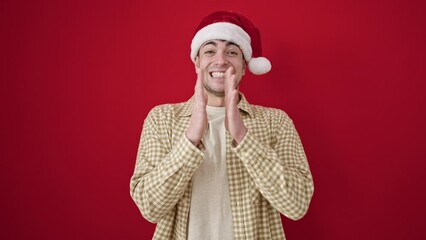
(233, 122)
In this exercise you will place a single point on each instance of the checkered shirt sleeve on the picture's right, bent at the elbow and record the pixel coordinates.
(280, 170)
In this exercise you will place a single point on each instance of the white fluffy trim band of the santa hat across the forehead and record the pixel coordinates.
(222, 31)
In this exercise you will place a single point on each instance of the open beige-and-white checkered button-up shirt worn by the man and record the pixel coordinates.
(268, 172)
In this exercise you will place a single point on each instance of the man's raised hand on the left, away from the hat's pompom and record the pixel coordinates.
(198, 123)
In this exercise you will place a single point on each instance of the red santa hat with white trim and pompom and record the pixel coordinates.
(232, 27)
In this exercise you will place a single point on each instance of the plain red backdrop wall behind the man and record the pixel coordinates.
(79, 77)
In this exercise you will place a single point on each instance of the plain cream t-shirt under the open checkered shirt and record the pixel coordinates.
(210, 216)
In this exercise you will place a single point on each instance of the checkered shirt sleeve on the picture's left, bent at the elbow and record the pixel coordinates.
(162, 172)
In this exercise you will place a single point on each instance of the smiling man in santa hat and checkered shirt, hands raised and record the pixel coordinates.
(217, 167)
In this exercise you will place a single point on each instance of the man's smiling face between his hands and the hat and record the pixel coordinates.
(214, 58)
